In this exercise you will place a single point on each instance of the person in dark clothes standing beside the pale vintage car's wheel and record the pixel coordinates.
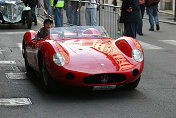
(32, 4)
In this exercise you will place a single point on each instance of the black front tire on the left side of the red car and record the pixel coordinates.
(48, 82)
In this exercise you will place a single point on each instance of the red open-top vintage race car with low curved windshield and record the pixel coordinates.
(84, 56)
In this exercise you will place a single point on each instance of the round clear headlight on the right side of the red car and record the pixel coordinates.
(137, 55)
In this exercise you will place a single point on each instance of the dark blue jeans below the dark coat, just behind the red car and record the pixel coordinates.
(130, 29)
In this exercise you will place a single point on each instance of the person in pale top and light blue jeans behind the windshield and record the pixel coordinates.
(91, 12)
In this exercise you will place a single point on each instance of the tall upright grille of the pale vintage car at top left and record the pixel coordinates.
(12, 11)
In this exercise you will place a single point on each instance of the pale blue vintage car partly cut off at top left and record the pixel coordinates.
(14, 11)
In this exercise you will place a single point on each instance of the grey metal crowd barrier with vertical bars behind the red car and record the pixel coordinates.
(107, 16)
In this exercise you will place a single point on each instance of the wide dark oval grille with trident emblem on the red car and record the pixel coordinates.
(104, 79)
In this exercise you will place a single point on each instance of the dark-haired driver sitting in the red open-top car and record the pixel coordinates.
(45, 31)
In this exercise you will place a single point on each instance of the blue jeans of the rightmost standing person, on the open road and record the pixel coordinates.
(153, 13)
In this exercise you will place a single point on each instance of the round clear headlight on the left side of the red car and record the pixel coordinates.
(58, 59)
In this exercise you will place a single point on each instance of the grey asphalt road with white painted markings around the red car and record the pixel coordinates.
(154, 97)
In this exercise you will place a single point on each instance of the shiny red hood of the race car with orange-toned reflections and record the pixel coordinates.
(94, 56)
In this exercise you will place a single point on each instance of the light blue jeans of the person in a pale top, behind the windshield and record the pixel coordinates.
(91, 16)
